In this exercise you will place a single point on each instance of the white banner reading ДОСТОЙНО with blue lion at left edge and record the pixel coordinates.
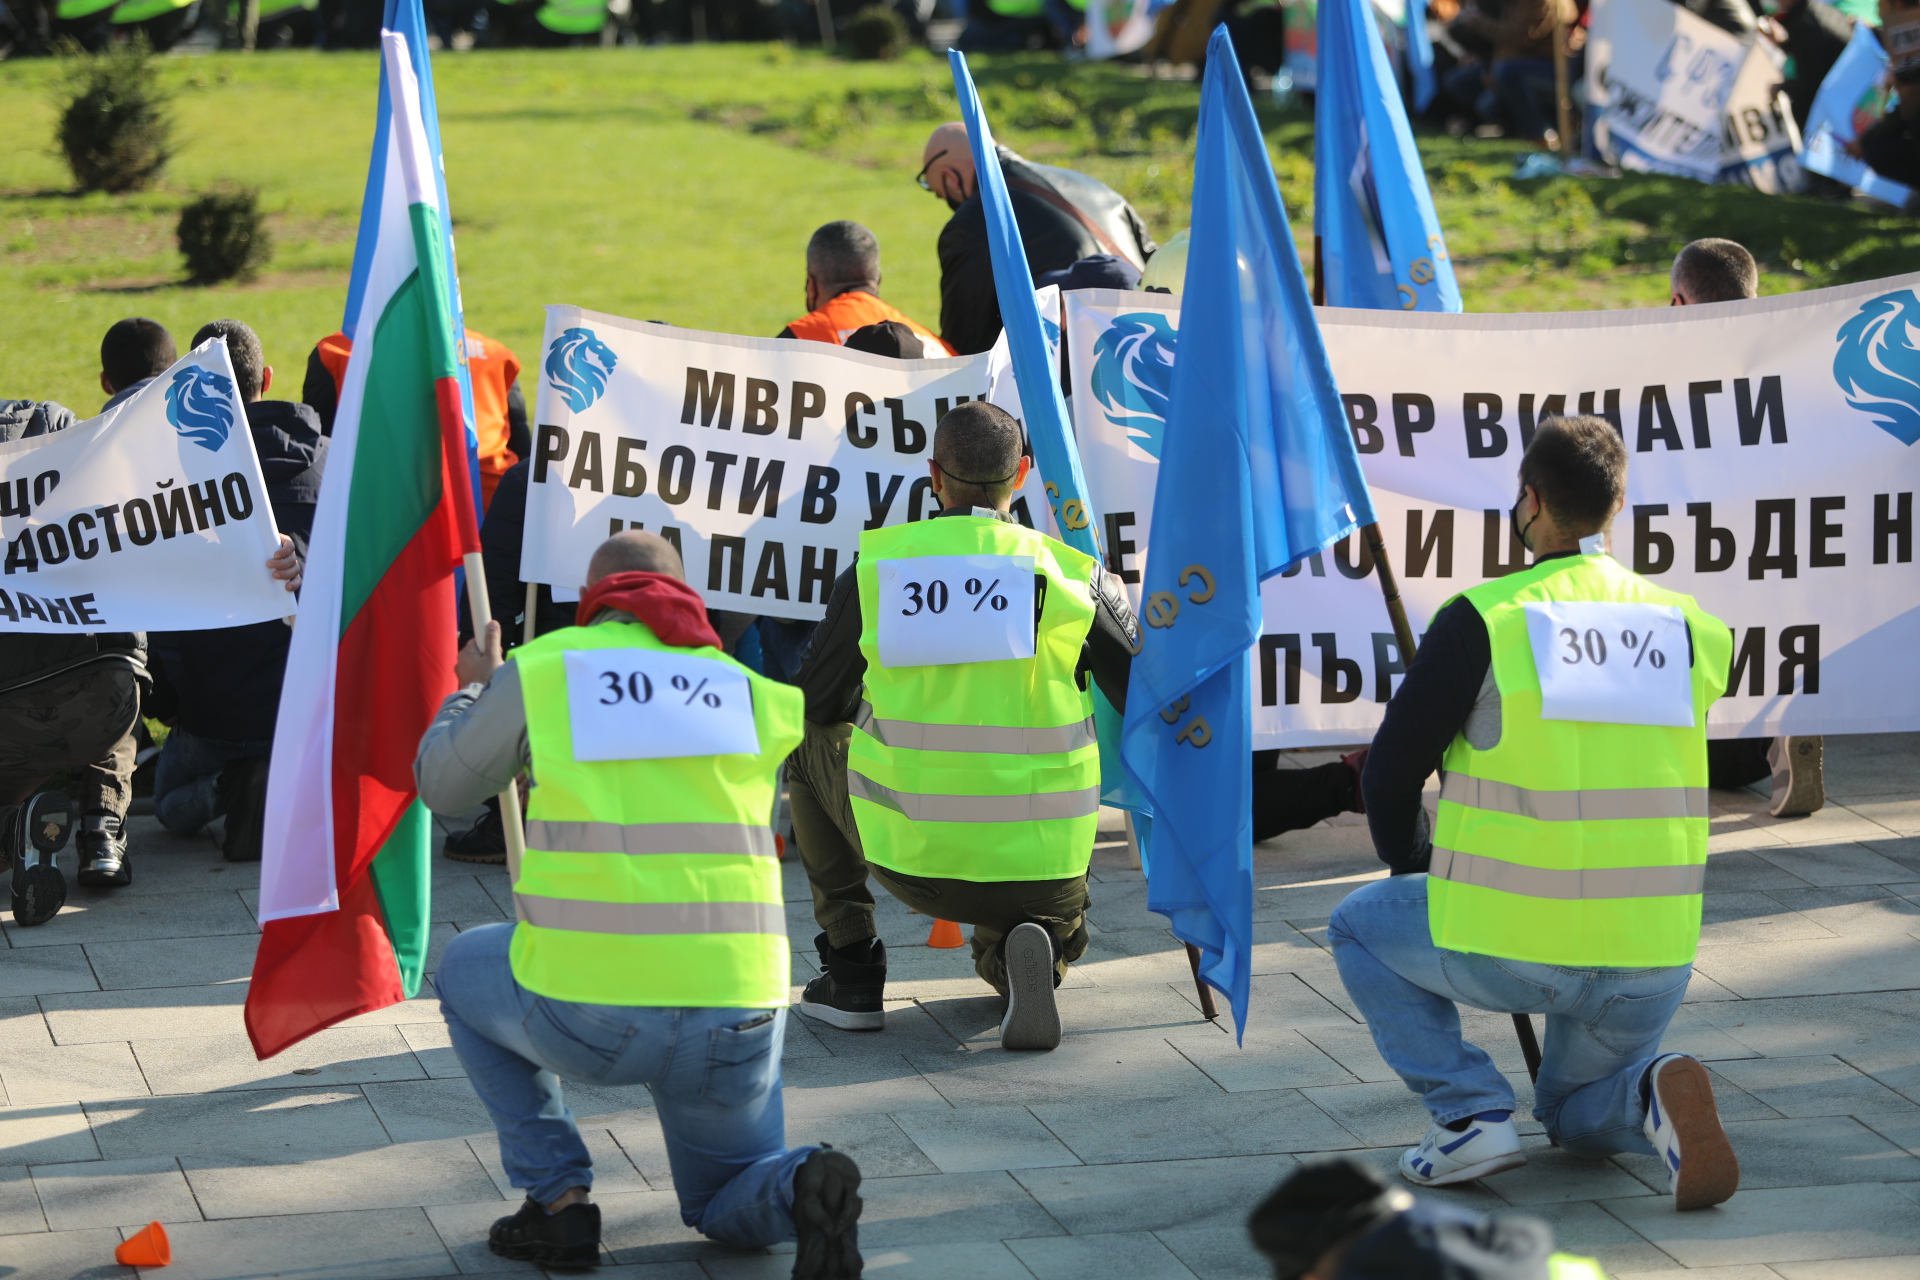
(147, 519)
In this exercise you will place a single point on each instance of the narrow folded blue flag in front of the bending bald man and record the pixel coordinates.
(1020, 314)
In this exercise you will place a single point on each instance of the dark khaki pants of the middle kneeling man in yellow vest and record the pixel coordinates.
(838, 870)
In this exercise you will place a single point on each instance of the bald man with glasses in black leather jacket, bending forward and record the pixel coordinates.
(1063, 216)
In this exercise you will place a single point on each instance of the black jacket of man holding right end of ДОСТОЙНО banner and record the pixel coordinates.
(226, 684)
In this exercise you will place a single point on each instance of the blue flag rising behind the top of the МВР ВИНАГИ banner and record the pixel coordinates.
(1381, 245)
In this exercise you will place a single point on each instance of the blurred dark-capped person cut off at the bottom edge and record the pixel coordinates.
(1339, 1221)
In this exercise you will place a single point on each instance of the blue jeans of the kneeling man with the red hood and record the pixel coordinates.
(713, 1074)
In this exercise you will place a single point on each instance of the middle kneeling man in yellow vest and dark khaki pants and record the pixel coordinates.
(949, 738)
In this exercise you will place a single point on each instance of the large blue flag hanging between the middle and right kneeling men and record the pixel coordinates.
(1259, 471)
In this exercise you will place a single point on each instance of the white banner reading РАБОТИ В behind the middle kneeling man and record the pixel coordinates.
(763, 460)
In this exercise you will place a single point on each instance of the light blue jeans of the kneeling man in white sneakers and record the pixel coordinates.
(1604, 1026)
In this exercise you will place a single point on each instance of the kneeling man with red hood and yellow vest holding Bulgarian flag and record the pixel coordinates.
(652, 943)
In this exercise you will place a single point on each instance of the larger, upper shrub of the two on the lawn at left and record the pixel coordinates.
(114, 126)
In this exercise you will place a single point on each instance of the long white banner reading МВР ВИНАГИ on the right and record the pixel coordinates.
(1773, 473)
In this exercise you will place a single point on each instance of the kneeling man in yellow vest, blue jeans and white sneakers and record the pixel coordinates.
(1566, 870)
